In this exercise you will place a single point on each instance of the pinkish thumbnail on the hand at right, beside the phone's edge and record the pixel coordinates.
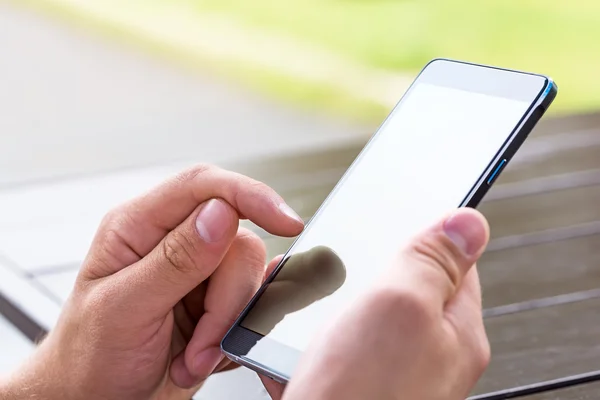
(467, 230)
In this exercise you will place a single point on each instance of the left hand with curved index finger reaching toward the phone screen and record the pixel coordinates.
(165, 277)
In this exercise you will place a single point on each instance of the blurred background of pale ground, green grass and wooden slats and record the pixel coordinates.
(102, 99)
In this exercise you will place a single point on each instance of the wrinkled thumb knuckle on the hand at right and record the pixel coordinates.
(437, 254)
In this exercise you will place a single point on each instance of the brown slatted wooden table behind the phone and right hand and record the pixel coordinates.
(541, 274)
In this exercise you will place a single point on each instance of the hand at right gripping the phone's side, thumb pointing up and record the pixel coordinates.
(418, 334)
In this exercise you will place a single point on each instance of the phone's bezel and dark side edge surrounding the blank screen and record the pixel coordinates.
(499, 82)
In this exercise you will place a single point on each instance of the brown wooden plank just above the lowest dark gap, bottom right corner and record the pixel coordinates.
(541, 345)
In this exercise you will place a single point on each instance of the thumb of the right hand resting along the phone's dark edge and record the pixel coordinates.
(436, 261)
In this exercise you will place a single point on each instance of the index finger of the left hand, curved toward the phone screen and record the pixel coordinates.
(144, 221)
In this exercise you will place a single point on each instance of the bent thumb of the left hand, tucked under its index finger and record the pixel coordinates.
(186, 257)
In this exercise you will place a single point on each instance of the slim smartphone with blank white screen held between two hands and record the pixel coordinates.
(442, 146)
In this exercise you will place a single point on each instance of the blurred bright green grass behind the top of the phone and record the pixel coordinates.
(555, 37)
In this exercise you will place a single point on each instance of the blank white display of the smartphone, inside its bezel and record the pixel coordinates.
(421, 164)
